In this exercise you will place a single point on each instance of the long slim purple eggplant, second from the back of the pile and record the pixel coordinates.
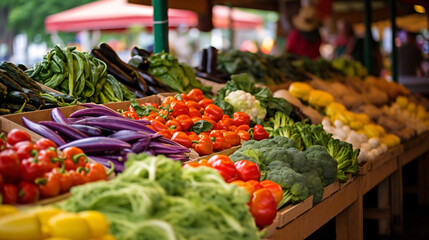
(115, 123)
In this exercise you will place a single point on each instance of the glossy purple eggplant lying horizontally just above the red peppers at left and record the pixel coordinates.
(97, 144)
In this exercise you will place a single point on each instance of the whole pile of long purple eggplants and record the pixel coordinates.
(105, 135)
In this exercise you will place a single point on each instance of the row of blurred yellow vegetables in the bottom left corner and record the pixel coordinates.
(52, 223)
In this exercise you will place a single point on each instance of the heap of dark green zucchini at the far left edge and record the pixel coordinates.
(19, 93)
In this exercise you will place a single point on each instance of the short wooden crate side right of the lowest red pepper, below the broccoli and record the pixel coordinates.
(289, 213)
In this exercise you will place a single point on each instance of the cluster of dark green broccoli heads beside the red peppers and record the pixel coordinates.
(300, 174)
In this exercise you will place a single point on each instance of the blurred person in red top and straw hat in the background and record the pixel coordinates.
(304, 38)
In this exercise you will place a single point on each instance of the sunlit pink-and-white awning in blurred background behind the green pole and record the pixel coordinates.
(119, 14)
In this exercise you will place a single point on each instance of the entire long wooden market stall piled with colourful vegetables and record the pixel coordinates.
(165, 151)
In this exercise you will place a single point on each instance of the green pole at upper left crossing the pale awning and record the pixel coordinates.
(160, 25)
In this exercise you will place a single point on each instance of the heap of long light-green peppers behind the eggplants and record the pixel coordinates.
(79, 75)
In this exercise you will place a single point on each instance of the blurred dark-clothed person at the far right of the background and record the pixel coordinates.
(410, 57)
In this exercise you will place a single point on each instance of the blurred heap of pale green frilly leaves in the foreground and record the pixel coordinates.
(155, 198)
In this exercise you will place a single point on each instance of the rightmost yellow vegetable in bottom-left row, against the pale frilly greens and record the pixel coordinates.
(97, 223)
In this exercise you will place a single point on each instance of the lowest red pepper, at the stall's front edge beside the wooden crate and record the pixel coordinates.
(263, 207)
